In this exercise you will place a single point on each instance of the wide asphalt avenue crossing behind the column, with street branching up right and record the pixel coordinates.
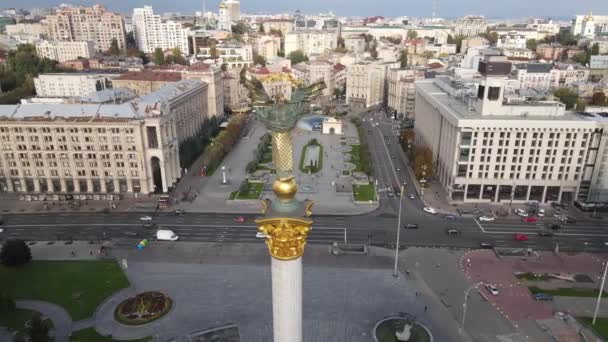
(378, 228)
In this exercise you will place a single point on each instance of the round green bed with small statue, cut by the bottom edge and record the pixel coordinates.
(400, 329)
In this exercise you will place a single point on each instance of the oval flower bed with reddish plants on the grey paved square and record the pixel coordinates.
(143, 308)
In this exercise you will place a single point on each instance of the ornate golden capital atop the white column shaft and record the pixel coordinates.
(285, 237)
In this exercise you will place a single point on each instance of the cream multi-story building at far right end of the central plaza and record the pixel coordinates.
(365, 83)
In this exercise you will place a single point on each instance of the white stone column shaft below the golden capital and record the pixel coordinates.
(287, 300)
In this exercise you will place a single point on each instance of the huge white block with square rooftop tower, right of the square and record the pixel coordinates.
(488, 148)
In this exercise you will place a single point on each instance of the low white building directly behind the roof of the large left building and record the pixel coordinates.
(72, 84)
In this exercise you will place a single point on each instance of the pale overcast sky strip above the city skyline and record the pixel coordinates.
(446, 8)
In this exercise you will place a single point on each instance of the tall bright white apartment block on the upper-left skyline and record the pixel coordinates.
(152, 32)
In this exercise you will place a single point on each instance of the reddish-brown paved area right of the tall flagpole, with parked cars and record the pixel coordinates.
(514, 299)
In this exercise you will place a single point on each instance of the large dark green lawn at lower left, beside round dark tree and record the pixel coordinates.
(77, 286)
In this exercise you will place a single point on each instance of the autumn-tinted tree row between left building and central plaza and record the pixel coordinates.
(223, 143)
